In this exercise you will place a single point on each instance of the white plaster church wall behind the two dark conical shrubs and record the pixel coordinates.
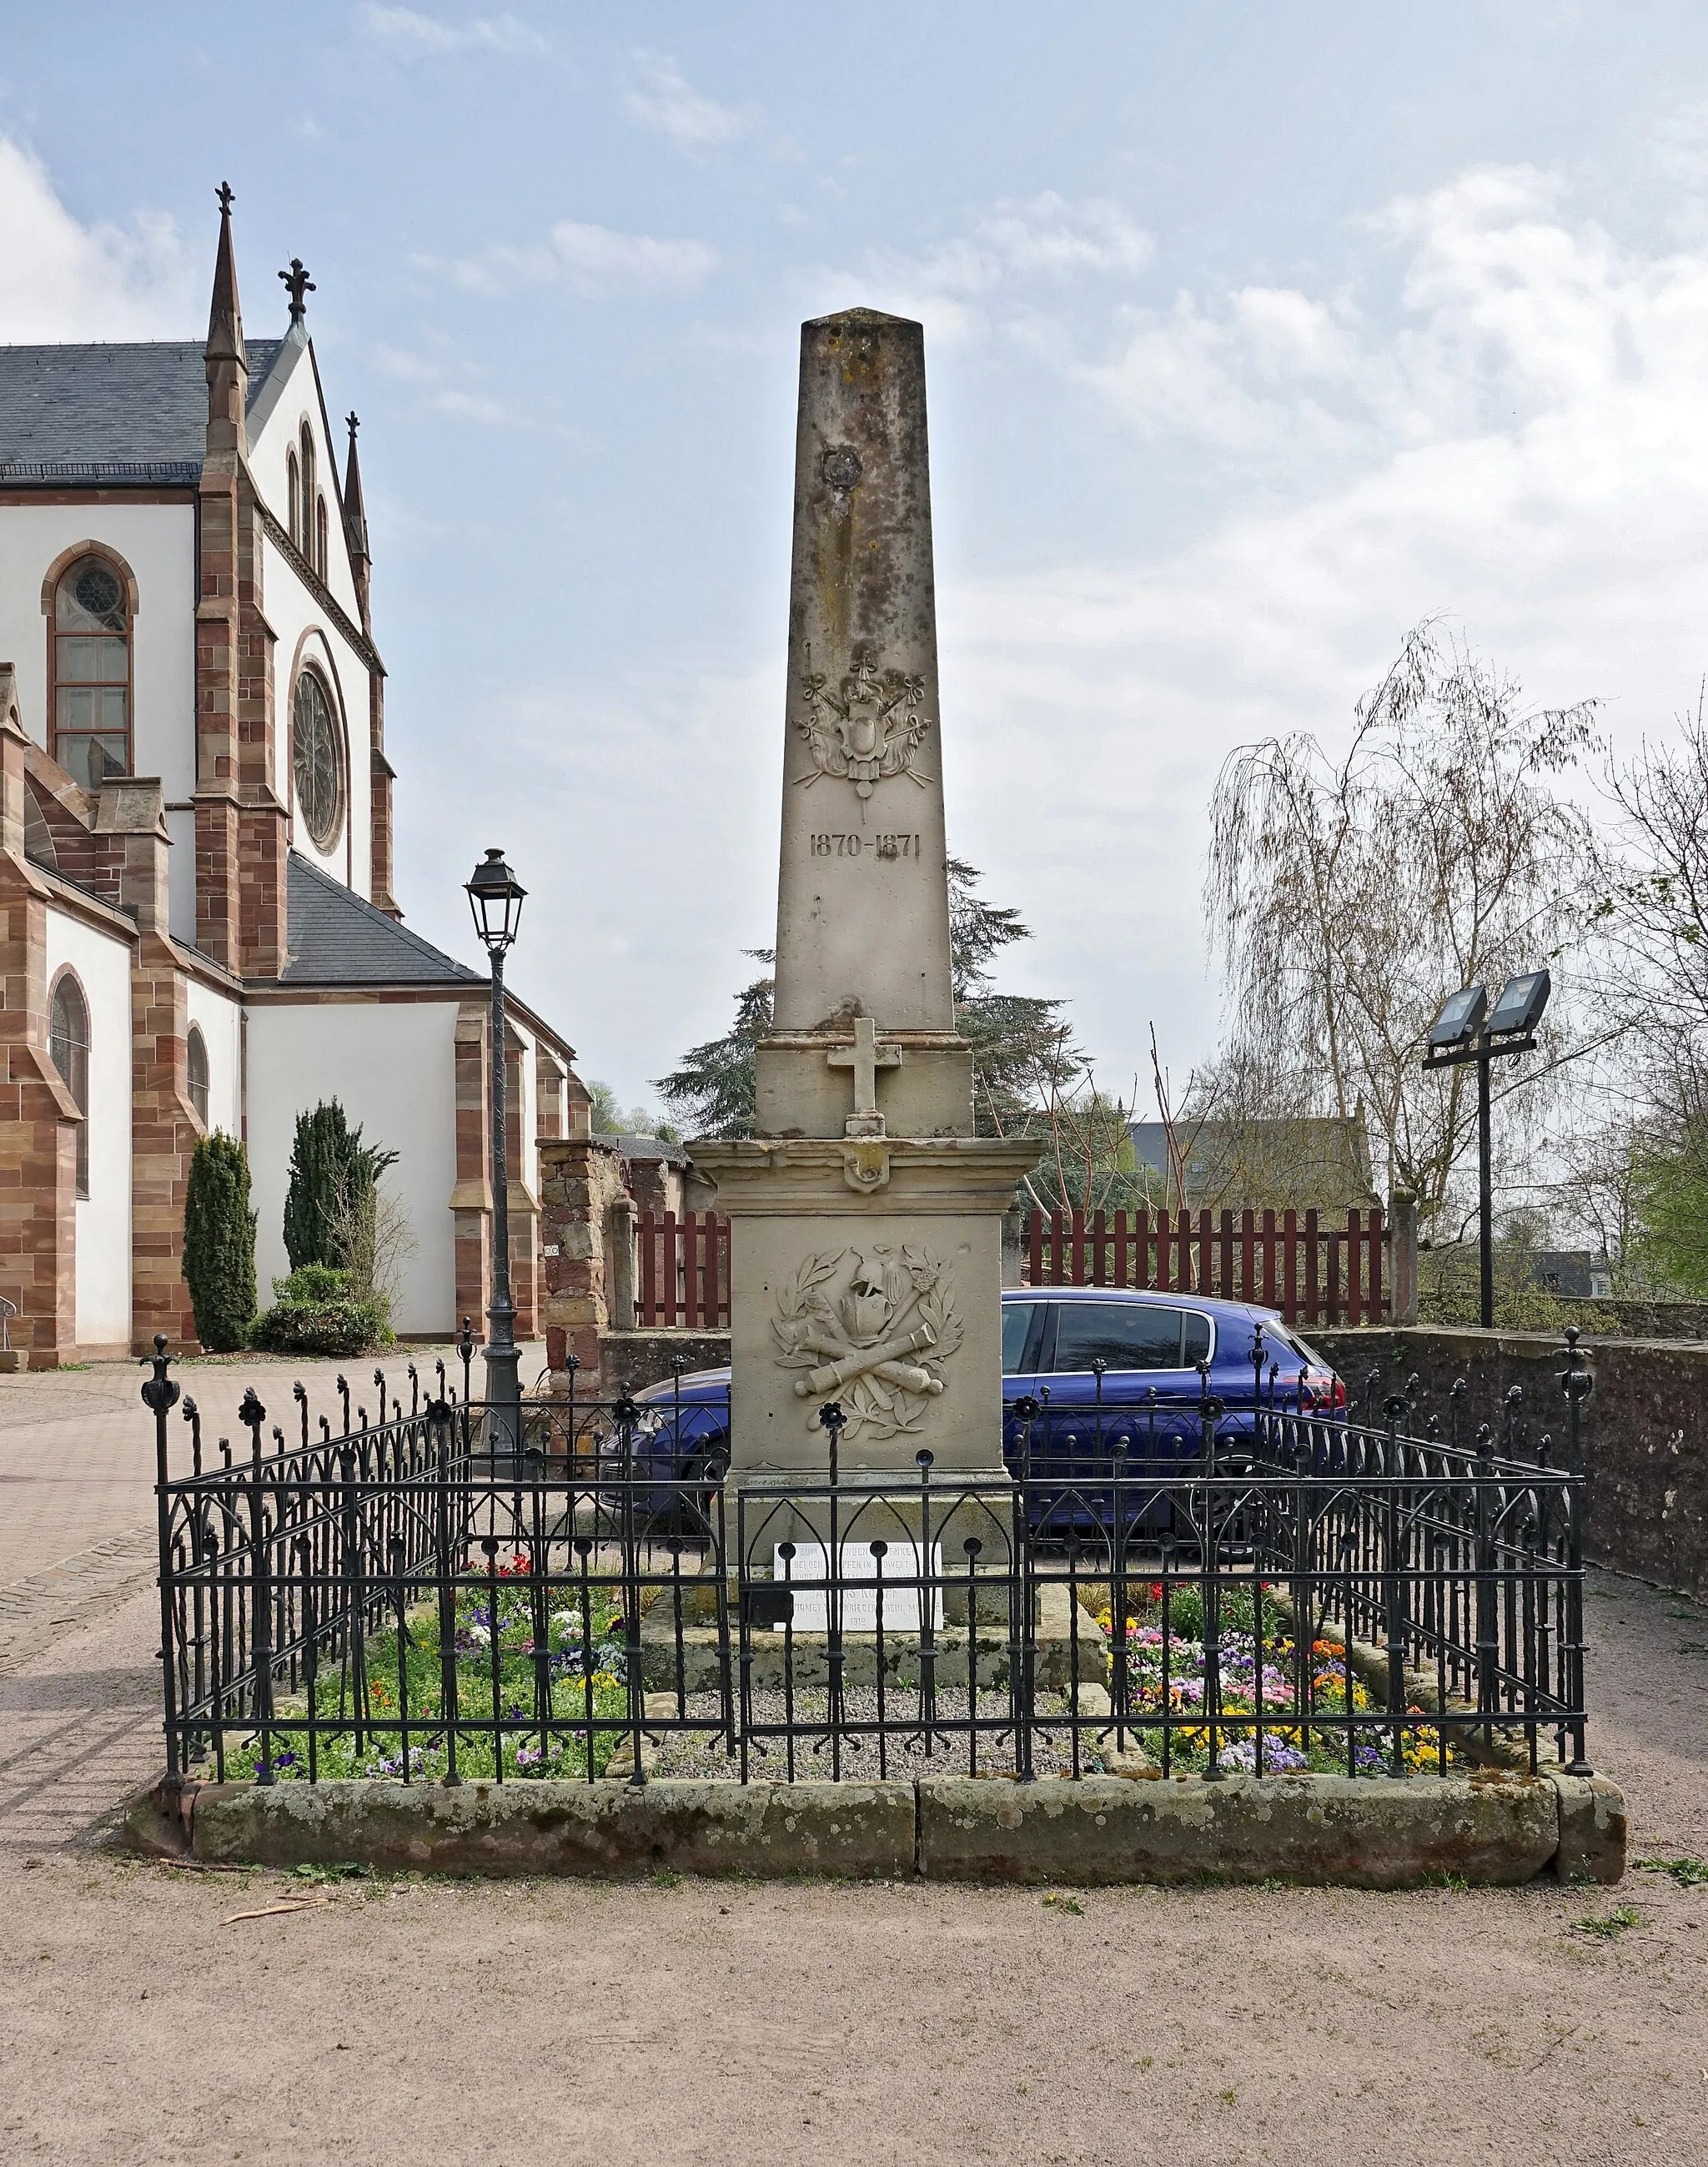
(393, 1069)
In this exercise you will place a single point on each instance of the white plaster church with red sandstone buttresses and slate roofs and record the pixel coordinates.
(198, 926)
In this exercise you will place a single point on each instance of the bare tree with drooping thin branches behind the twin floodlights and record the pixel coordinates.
(1349, 896)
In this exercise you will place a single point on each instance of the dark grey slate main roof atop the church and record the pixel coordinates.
(112, 415)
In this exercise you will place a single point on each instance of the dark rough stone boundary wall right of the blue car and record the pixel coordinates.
(1646, 1446)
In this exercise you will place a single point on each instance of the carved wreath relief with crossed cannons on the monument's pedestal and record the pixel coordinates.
(879, 1345)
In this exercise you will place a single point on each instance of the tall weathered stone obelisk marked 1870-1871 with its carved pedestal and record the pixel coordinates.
(866, 1254)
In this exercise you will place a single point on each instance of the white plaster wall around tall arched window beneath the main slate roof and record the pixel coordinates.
(159, 547)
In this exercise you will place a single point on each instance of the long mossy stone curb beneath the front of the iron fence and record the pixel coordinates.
(1494, 1830)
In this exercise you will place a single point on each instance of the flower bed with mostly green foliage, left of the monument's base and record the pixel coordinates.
(532, 1698)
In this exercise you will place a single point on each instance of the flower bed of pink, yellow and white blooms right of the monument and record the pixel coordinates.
(1271, 1707)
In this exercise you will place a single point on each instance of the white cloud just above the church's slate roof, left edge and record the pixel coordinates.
(66, 281)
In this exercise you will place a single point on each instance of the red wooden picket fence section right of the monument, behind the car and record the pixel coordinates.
(1315, 1273)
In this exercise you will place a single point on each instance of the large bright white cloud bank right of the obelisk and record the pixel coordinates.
(1516, 434)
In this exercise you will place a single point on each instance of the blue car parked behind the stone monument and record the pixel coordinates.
(1089, 1375)
